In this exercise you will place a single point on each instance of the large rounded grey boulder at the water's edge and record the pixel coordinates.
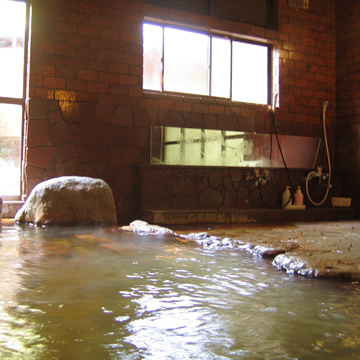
(69, 200)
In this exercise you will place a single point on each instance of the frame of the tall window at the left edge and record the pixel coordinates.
(20, 100)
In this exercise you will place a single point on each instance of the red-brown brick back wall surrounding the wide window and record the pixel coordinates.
(87, 113)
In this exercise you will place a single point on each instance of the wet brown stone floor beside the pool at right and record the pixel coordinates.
(316, 249)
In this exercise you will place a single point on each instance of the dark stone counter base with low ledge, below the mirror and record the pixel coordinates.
(196, 195)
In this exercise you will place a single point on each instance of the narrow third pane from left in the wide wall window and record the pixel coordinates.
(220, 67)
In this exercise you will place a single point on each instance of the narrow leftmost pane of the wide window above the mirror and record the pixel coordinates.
(152, 52)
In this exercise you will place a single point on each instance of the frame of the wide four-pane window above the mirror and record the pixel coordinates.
(212, 34)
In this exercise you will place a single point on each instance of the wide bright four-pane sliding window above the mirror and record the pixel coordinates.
(190, 62)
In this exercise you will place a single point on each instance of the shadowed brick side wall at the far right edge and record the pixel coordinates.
(348, 96)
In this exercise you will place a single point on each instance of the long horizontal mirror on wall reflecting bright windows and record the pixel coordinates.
(202, 147)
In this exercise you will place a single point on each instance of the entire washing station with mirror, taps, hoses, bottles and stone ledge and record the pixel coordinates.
(230, 177)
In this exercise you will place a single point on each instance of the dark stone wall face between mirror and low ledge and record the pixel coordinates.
(212, 188)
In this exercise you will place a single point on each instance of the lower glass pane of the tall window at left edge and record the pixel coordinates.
(10, 147)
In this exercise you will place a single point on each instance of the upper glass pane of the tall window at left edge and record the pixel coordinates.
(12, 28)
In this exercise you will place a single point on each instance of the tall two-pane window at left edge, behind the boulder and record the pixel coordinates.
(12, 30)
